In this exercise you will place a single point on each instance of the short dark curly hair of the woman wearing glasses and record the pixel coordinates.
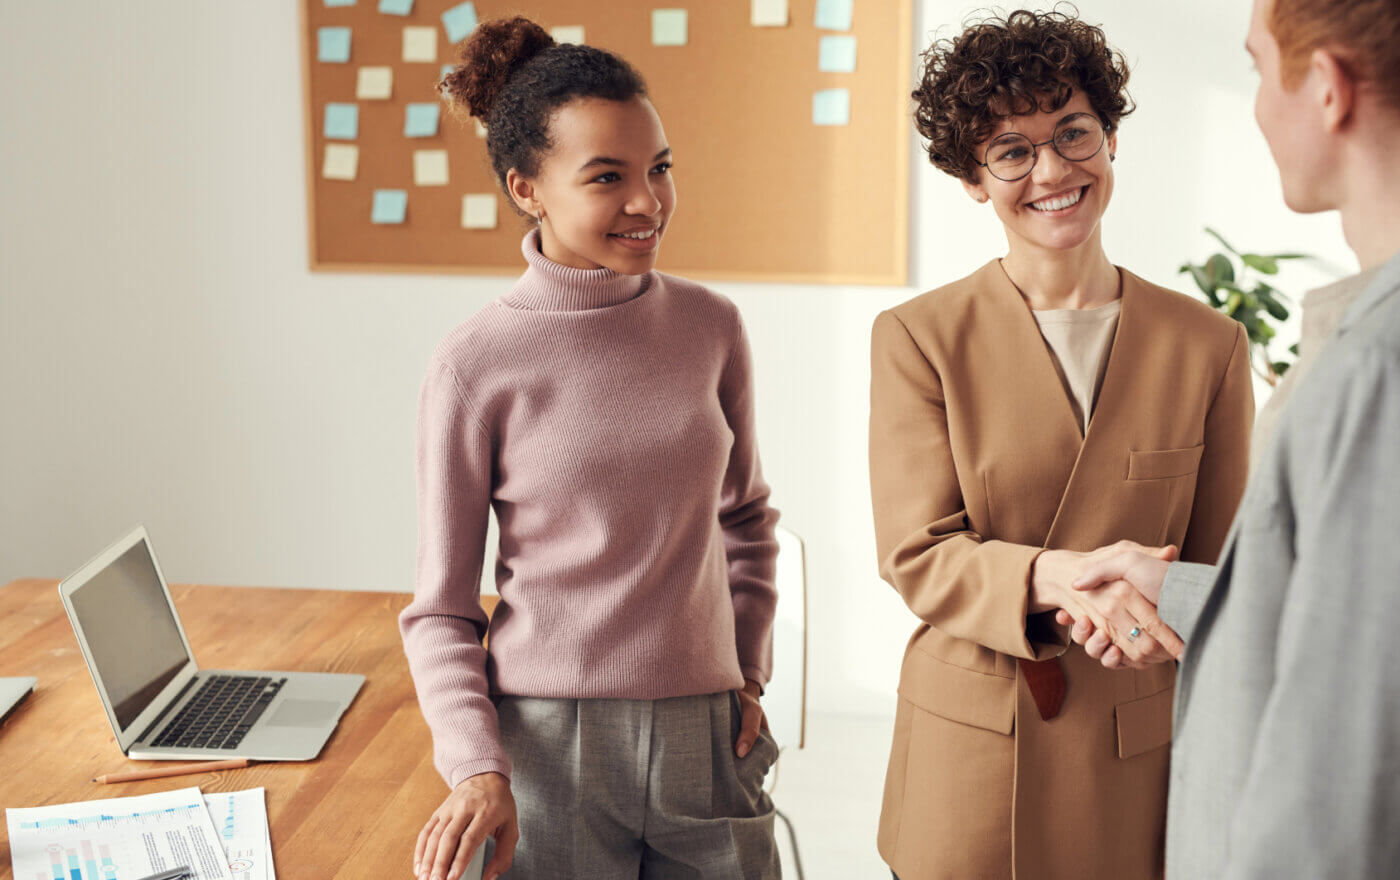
(1010, 66)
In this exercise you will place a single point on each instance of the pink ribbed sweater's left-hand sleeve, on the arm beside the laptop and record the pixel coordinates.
(444, 626)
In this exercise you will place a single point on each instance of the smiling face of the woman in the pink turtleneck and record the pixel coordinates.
(604, 190)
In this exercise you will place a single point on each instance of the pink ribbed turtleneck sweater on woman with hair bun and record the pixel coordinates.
(610, 422)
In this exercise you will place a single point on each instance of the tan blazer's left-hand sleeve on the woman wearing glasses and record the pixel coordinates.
(953, 579)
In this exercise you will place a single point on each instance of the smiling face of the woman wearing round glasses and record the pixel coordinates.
(1059, 205)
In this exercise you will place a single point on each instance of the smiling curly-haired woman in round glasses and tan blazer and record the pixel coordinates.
(1049, 405)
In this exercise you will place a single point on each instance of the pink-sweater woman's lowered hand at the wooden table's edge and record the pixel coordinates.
(477, 808)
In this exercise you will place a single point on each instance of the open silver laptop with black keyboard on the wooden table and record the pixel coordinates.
(160, 704)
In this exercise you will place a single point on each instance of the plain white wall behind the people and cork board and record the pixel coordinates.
(166, 356)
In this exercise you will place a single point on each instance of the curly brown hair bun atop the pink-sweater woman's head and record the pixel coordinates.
(488, 58)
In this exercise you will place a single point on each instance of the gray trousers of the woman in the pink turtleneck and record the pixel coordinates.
(624, 790)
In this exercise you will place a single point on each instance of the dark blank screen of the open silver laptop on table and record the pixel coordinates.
(131, 632)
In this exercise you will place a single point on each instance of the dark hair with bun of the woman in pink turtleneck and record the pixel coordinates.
(513, 76)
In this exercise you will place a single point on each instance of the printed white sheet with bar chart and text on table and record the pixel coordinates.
(122, 839)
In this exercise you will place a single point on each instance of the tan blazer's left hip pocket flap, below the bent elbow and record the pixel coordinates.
(967, 696)
